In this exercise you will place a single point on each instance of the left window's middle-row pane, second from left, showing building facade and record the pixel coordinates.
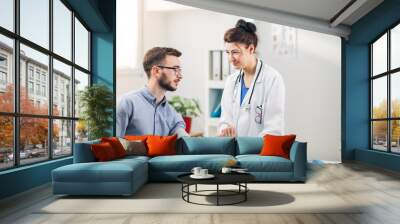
(34, 81)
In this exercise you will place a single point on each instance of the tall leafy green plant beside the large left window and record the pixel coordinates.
(96, 102)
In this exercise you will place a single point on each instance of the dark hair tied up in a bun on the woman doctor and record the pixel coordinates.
(243, 33)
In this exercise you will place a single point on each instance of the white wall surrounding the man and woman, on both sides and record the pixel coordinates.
(312, 79)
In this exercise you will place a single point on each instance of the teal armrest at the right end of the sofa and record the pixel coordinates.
(298, 155)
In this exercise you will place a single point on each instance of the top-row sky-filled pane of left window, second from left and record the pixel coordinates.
(35, 21)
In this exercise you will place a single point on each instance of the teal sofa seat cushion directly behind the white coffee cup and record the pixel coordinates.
(185, 163)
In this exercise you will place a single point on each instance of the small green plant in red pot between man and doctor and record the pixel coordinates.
(188, 108)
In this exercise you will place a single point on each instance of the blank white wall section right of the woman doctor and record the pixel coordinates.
(313, 89)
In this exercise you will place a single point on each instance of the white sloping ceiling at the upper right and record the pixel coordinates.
(315, 15)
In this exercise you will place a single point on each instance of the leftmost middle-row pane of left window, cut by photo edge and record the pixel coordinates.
(6, 74)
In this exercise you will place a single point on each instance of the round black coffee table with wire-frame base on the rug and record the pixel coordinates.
(238, 179)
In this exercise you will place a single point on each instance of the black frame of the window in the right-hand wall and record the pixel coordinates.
(388, 74)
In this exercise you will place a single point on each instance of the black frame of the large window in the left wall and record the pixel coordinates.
(16, 115)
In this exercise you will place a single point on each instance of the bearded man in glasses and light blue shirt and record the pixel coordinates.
(146, 111)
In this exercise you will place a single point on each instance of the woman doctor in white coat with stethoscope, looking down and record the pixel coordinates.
(253, 100)
